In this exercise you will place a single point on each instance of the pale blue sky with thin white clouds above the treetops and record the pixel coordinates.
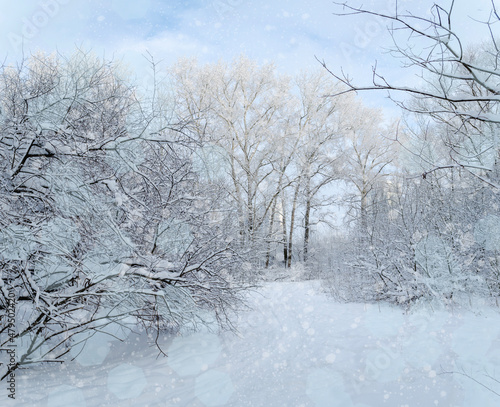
(289, 33)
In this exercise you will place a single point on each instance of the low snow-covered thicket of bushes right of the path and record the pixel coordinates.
(432, 238)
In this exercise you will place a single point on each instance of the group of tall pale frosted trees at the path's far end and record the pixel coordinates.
(281, 146)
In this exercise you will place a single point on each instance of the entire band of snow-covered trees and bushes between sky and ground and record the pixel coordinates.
(162, 206)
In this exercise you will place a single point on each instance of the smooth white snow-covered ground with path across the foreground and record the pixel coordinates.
(296, 348)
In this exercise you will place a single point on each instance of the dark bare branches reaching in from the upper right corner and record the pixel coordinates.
(460, 85)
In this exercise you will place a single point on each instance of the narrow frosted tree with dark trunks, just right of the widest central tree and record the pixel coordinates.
(318, 127)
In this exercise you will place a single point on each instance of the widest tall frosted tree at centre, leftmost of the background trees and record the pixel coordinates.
(238, 107)
